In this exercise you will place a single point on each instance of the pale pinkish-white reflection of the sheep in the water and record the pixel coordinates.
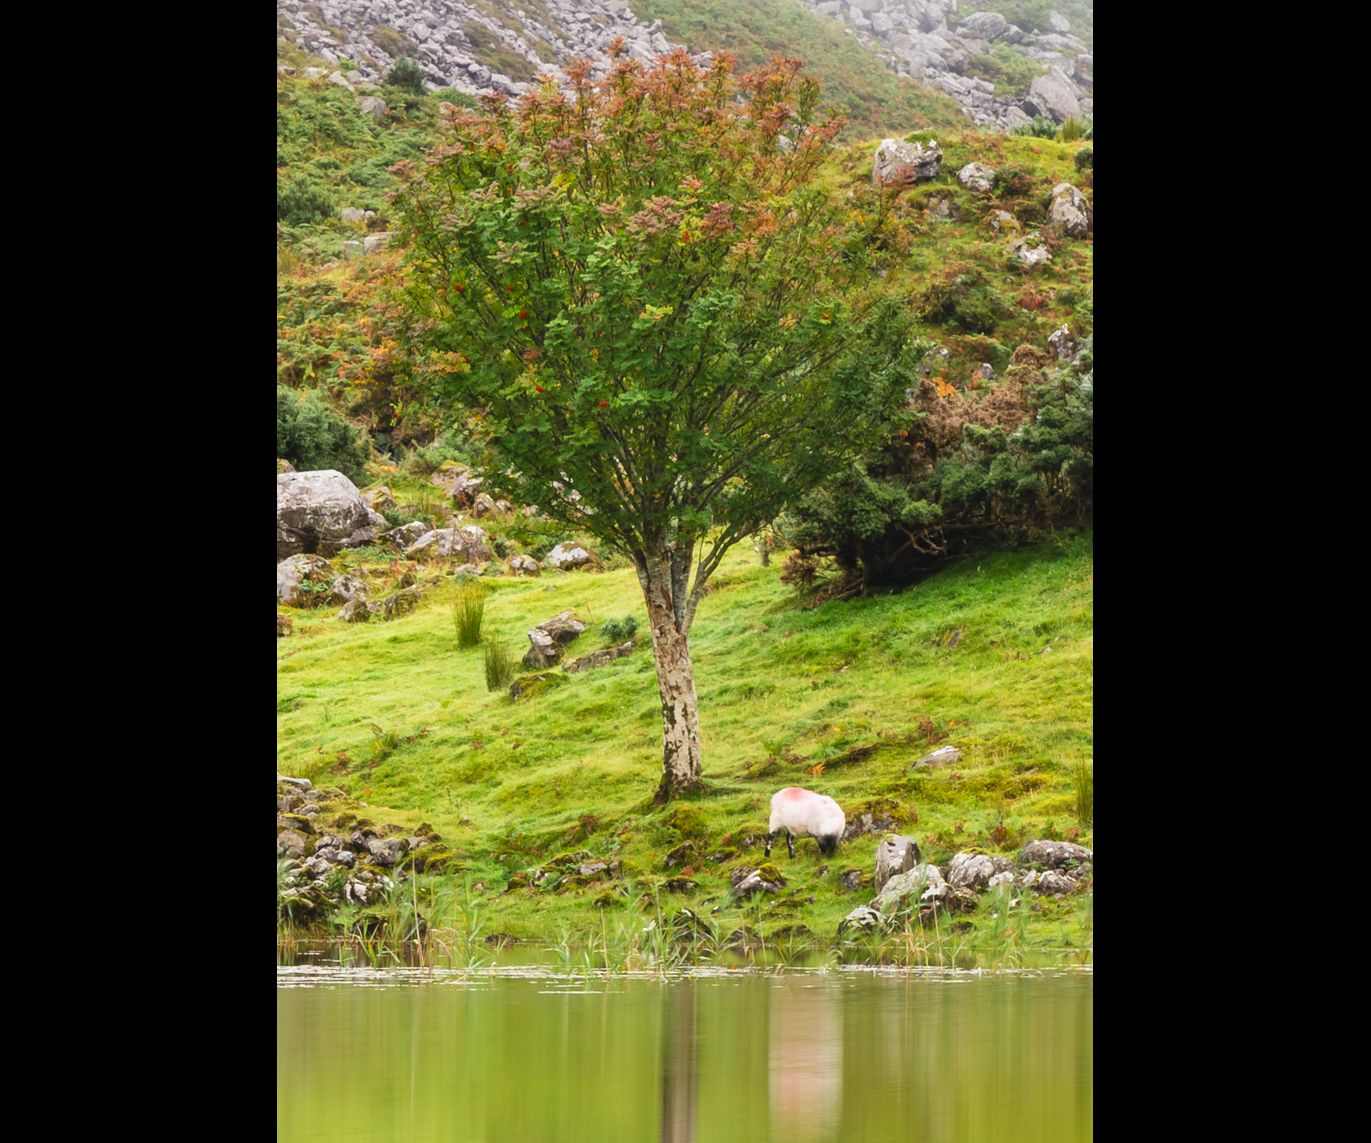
(807, 1061)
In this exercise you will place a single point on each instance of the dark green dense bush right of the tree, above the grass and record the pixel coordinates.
(962, 471)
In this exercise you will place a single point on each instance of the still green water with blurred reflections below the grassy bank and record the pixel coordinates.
(804, 1057)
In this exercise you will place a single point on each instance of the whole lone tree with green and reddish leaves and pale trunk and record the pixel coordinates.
(666, 325)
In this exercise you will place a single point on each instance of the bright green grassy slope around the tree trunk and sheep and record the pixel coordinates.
(784, 691)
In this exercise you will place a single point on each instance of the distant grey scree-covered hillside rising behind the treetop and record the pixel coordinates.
(1000, 61)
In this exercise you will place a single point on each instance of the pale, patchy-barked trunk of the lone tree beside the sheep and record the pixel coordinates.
(675, 680)
